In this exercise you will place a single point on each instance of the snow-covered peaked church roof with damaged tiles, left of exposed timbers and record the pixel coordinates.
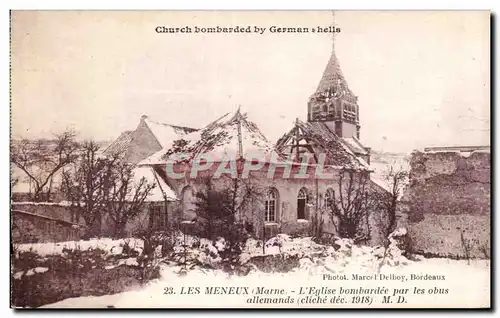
(227, 137)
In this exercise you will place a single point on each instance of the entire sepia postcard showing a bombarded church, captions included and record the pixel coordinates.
(250, 159)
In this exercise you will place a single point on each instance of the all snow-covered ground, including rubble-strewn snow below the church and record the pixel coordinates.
(444, 282)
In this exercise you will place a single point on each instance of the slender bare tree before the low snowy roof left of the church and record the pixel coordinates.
(127, 196)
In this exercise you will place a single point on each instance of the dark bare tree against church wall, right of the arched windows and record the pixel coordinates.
(351, 205)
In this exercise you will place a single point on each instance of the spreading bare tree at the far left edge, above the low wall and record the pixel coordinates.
(41, 159)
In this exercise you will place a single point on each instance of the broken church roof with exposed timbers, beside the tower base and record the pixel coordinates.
(317, 138)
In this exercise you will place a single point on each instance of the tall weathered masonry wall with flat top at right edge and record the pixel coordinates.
(448, 204)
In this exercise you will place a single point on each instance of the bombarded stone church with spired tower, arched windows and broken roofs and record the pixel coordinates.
(329, 137)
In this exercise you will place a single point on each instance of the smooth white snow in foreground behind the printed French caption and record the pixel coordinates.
(467, 286)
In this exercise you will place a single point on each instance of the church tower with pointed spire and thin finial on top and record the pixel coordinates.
(333, 102)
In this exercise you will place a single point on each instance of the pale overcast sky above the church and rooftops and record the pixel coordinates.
(422, 78)
